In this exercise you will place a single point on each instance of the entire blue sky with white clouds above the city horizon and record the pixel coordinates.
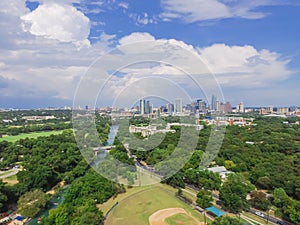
(250, 48)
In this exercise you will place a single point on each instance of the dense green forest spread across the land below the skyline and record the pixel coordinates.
(264, 160)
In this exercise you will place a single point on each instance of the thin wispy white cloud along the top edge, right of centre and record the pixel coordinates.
(201, 10)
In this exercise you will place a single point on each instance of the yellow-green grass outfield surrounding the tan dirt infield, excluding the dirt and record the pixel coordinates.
(138, 204)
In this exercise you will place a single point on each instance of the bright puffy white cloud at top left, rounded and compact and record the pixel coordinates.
(61, 22)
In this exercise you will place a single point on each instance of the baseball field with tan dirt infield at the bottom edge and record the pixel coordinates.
(138, 206)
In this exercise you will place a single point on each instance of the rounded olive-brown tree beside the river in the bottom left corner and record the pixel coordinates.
(30, 204)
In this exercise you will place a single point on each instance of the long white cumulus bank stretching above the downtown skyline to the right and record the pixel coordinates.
(233, 66)
